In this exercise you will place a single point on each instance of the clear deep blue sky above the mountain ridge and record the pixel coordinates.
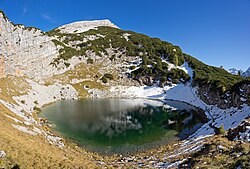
(215, 31)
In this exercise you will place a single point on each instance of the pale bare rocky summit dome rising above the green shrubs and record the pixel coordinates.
(83, 26)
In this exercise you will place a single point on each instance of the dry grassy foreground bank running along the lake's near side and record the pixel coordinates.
(28, 151)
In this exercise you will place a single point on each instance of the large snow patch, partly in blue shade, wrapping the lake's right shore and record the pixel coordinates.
(186, 93)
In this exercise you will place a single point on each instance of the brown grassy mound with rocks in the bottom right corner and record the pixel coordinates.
(235, 153)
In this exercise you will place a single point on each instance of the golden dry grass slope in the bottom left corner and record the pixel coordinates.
(29, 151)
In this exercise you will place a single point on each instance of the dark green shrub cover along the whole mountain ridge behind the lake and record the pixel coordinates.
(151, 50)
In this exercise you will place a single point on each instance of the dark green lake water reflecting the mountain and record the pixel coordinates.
(120, 125)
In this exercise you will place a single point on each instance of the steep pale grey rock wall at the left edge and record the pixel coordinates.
(26, 51)
